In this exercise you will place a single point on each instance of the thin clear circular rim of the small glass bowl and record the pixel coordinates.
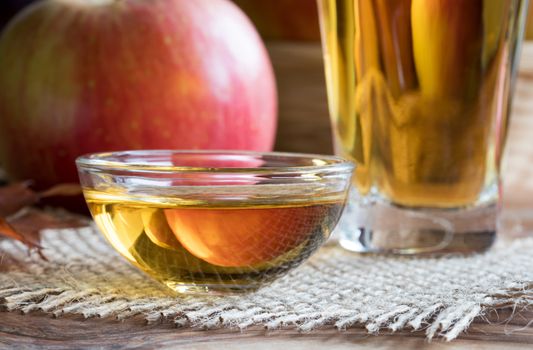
(97, 161)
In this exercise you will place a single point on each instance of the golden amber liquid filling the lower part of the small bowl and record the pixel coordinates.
(195, 246)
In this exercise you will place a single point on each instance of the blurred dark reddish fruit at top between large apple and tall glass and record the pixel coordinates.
(283, 19)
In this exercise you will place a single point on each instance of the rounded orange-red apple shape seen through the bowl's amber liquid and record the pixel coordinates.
(241, 237)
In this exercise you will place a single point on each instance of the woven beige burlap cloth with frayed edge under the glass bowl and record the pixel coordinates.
(441, 295)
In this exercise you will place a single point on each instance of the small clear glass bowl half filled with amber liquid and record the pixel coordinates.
(214, 221)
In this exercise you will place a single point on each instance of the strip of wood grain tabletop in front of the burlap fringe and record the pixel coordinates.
(500, 331)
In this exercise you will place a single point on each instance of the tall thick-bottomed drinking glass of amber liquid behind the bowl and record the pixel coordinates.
(419, 95)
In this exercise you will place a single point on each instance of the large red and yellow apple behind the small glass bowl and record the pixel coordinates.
(82, 76)
